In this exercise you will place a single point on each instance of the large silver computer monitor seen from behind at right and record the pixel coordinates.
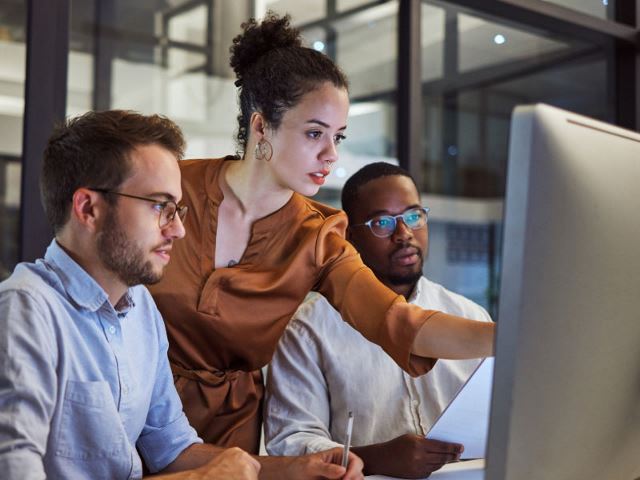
(566, 394)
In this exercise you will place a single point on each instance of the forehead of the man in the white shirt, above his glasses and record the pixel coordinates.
(392, 194)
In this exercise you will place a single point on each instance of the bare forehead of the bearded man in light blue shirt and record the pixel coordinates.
(154, 170)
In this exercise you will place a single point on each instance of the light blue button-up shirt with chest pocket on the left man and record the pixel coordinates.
(82, 384)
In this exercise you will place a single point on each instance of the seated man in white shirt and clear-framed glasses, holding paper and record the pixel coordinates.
(323, 369)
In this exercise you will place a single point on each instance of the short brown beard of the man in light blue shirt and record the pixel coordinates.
(123, 257)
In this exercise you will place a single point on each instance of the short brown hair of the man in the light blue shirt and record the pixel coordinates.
(93, 150)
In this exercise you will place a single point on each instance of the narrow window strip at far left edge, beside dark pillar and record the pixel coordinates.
(12, 79)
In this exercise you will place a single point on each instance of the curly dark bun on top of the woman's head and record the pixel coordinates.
(258, 39)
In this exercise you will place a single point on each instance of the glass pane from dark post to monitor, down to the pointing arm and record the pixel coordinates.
(475, 71)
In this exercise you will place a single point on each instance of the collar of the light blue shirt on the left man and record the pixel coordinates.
(79, 285)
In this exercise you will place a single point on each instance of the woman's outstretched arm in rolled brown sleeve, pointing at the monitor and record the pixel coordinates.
(411, 335)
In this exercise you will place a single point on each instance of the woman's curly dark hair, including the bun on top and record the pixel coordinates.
(274, 71)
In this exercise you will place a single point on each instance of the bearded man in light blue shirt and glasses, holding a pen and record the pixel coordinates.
(85, 384)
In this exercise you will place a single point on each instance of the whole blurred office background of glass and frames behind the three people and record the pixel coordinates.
(433, 84)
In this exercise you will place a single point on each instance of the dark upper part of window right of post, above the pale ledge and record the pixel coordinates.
(488, 69)
